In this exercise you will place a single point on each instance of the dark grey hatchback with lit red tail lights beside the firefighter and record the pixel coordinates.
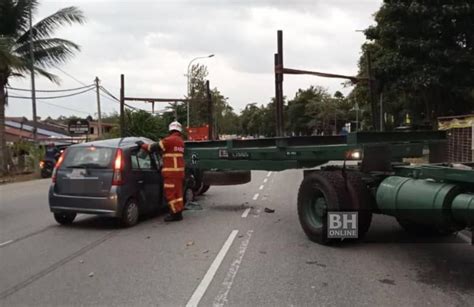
(108, 177)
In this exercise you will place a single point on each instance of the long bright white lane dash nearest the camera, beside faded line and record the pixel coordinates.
(211, 272)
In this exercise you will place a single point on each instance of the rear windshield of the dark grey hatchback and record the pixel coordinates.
(89, 157)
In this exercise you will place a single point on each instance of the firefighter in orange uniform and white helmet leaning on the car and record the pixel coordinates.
(172, 151)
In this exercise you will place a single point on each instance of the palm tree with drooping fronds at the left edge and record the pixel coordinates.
(15, 60)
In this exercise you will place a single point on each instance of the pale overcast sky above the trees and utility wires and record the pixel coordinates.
(152, 42)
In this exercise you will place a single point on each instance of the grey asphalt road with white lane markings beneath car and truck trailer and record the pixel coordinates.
(230, 253)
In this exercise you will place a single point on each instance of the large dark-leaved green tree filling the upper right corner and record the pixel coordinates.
(423, 57)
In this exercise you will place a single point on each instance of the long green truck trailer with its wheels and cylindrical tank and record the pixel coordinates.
(435, 198)
